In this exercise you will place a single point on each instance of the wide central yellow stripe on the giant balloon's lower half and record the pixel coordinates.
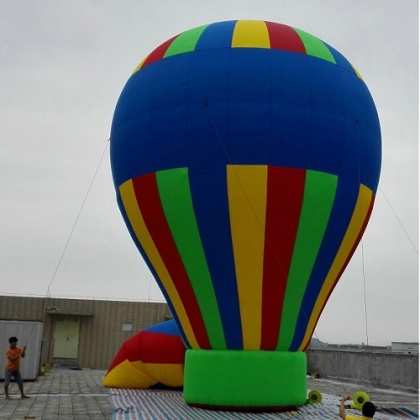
(247, 187)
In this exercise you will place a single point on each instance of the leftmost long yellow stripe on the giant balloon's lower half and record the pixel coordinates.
(139, 227)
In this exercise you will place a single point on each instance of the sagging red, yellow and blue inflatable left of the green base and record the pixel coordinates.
(152, 357)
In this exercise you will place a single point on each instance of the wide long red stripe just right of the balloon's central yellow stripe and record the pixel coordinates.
(285, 188)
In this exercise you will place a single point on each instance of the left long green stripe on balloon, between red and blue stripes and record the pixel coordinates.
(174, 191)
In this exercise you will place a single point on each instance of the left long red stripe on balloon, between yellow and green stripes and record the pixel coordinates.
(149, 203)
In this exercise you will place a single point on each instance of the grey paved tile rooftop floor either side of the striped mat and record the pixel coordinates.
(66, 394)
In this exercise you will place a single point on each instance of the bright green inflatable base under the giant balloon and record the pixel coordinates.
(245, 380)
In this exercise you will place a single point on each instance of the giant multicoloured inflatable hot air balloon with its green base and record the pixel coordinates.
(246, 157)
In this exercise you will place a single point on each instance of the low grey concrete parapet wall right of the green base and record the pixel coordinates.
(379, 369)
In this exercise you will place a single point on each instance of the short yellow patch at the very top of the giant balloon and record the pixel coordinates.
(250, 33)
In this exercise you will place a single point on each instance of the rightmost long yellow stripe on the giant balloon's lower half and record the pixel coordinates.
(353, 230)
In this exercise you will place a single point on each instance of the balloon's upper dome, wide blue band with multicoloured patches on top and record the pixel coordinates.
(223, 93)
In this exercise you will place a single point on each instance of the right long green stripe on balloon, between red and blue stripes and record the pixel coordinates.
(317, 203)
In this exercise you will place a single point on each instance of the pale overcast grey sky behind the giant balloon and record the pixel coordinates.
(63, 66)
